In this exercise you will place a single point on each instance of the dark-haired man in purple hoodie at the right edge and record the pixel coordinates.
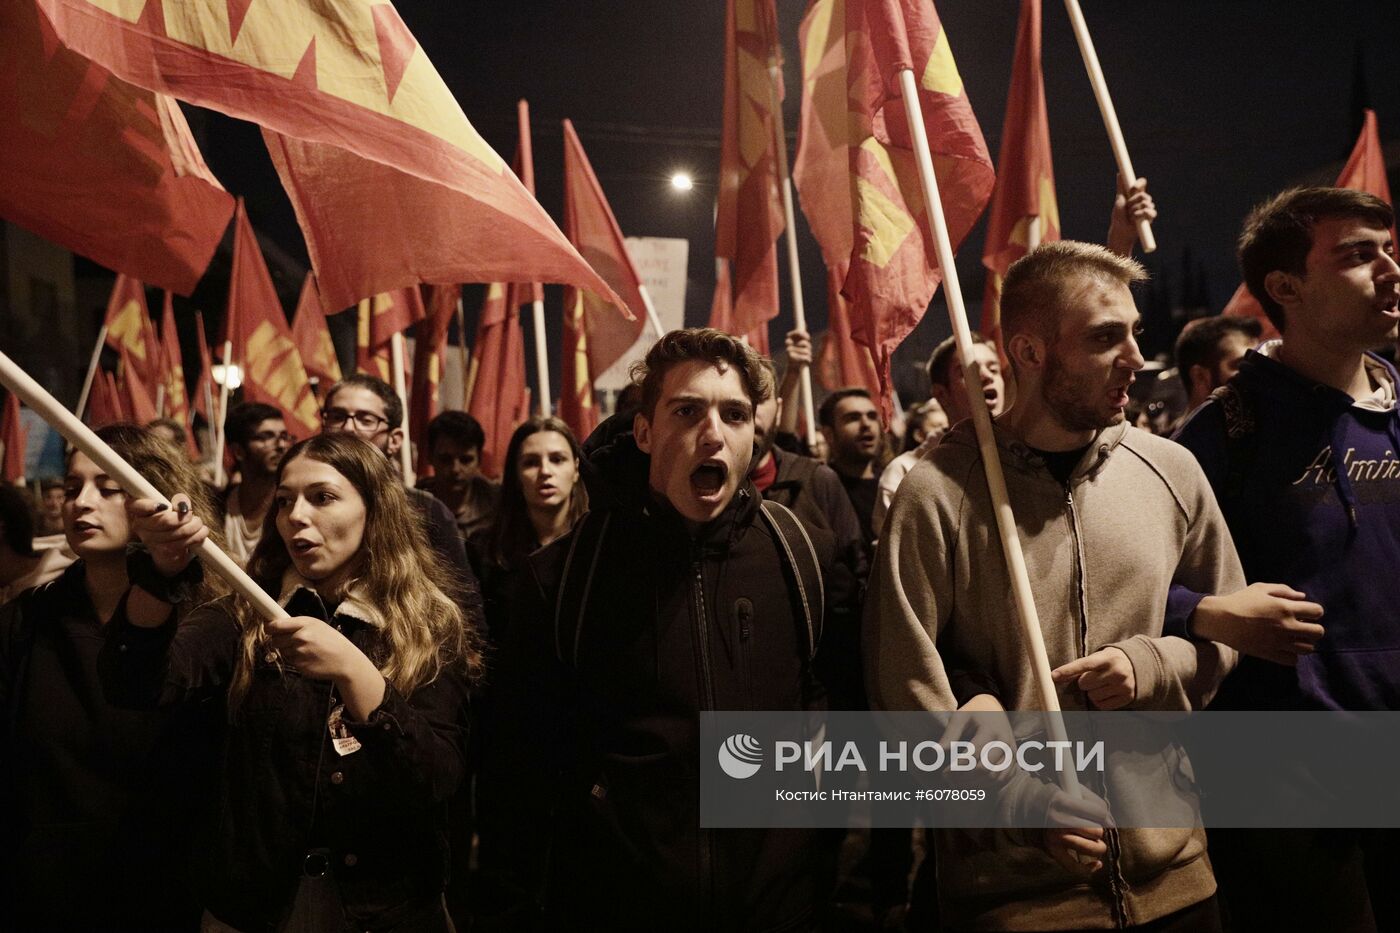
(1303, 449)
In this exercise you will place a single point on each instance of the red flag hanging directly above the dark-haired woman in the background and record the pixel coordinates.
(499, 397)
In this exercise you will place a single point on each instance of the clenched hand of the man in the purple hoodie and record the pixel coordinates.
(1265, 620)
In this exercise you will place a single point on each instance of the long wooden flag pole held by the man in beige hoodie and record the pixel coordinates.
(986, 441)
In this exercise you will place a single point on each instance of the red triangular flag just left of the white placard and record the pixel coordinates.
(591, 228)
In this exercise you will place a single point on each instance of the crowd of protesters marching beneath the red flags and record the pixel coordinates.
(484, 710)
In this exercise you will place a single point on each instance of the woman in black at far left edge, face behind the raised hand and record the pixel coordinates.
(96, 799)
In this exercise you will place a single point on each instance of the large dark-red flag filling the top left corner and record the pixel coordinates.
(99, 166)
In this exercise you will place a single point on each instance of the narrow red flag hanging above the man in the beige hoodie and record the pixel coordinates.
(1025, 176)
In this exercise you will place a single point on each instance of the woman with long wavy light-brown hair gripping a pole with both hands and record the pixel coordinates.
(348, 728)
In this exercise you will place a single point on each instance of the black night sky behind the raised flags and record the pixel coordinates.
(1221, 102)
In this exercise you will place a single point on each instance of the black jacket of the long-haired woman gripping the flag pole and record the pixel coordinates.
(379, 813)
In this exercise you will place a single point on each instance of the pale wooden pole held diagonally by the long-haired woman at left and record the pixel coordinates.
(83, 439)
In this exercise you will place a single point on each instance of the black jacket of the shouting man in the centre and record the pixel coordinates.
(675, 626)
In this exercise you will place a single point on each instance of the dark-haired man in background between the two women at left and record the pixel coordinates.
(257, 439)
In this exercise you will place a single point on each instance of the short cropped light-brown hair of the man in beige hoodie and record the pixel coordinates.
(1041, 285)
